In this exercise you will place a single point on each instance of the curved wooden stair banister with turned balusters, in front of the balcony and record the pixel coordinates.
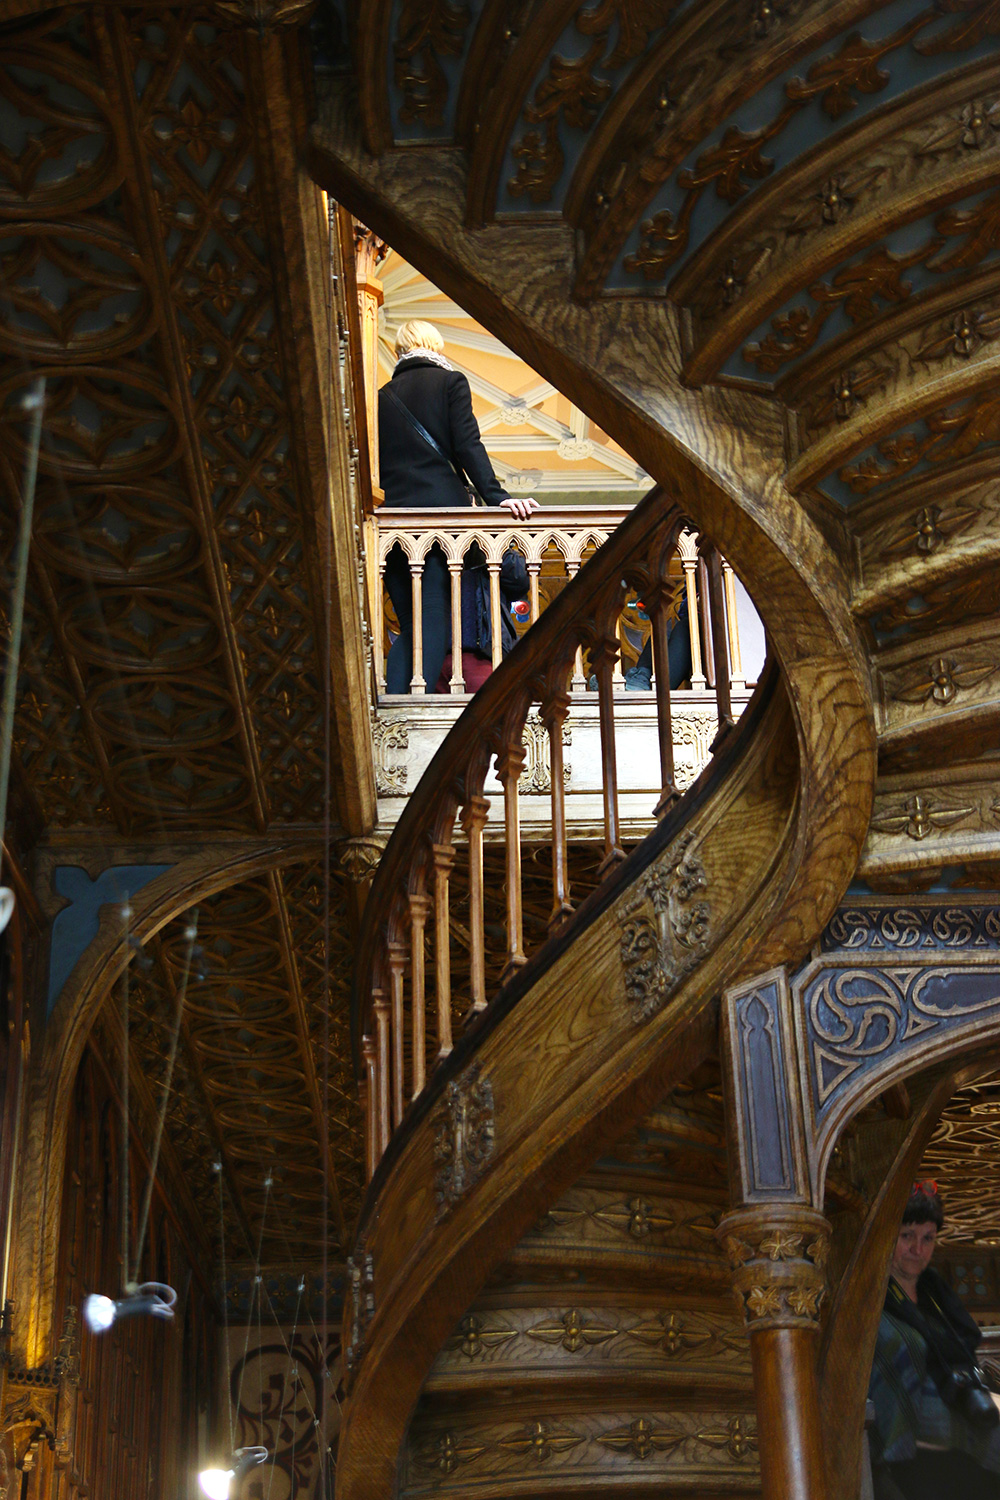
(406, 997)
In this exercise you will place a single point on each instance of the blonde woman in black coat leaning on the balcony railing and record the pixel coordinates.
(430, 452)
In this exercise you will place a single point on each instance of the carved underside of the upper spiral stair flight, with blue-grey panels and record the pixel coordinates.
(804, 199)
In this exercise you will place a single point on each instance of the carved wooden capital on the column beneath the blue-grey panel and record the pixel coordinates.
(777, 1258)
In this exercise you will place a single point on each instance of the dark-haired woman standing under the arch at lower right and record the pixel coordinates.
(936, 1424)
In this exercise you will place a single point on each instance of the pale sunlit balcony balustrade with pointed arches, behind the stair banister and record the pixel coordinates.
(410, 728)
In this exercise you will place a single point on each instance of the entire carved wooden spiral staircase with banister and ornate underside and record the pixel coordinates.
(542, 1282)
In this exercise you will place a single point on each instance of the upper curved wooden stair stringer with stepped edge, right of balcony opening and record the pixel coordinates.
(719, 454)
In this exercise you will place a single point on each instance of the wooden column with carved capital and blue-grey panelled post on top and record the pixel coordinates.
(776, 1238)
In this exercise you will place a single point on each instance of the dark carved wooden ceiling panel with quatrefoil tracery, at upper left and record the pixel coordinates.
(172, 673)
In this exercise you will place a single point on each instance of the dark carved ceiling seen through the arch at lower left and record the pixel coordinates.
(259, 1057)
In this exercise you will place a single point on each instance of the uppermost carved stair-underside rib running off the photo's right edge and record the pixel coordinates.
(828, 206)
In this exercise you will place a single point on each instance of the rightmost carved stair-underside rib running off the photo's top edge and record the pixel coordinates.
(699, 73)
